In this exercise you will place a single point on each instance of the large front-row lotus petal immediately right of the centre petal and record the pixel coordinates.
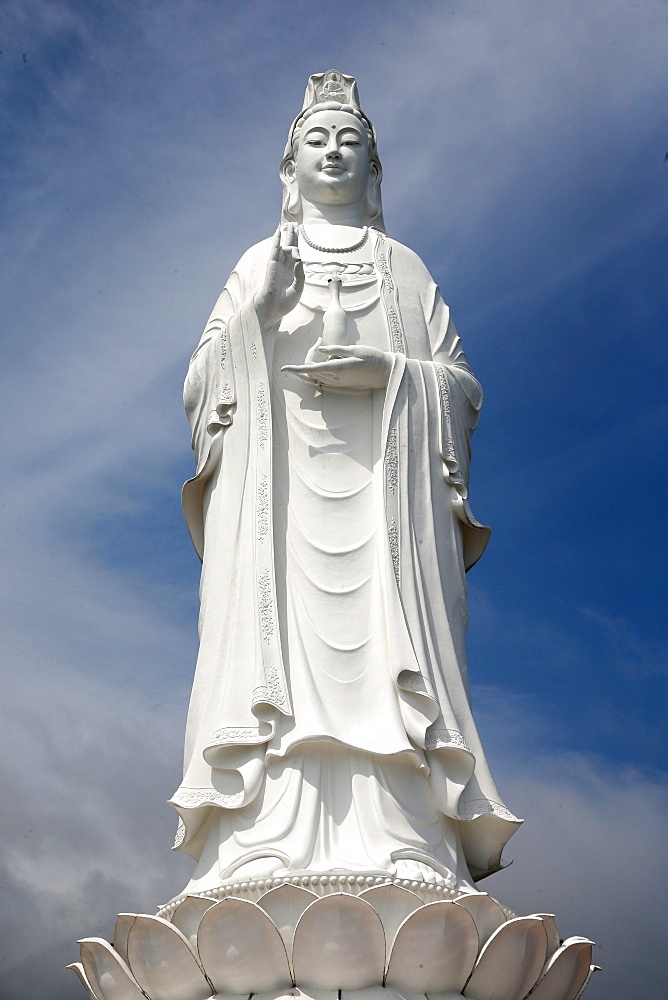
(434, 950)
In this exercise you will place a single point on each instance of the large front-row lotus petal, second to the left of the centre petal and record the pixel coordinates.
(163, 962)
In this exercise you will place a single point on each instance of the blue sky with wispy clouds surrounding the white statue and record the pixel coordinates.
(524, 150)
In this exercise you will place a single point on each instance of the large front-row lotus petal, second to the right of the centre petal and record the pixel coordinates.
(511, 961)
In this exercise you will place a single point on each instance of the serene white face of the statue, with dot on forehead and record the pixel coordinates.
(333, 164)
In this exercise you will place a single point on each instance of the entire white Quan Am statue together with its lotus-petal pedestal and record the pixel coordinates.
(335, 795)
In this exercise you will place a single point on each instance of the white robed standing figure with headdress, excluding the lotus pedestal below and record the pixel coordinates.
(332, 407)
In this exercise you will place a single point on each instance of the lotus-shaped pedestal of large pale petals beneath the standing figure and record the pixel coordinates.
(382, 944)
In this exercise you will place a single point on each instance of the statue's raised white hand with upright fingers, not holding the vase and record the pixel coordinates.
(283, 280)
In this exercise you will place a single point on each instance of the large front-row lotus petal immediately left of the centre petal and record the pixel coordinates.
(241, 949)
